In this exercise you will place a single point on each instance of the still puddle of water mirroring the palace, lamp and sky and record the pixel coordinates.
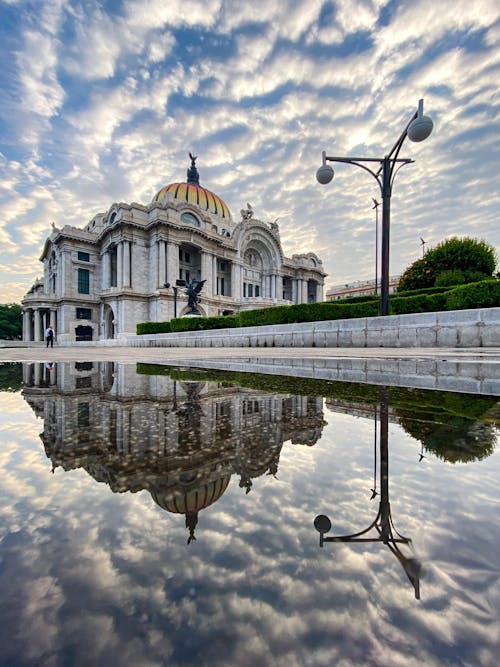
(154, 516)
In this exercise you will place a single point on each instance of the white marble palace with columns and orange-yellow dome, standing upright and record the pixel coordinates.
(101, 280)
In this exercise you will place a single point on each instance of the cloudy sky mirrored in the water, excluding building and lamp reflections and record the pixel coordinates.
(111, 574)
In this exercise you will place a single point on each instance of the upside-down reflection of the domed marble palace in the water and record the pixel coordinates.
(180, 440)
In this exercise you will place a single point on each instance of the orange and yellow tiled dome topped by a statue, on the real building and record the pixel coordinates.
(191, 192)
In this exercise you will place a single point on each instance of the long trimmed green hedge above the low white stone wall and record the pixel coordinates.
(484, 294)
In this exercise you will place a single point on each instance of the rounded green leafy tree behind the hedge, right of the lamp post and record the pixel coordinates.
(452, 262)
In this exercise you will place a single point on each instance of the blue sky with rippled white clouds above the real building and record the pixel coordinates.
(103, 99)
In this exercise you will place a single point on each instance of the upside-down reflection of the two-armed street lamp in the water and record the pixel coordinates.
(382, 523)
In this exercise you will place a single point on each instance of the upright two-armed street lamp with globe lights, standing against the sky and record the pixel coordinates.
(418, 129)
